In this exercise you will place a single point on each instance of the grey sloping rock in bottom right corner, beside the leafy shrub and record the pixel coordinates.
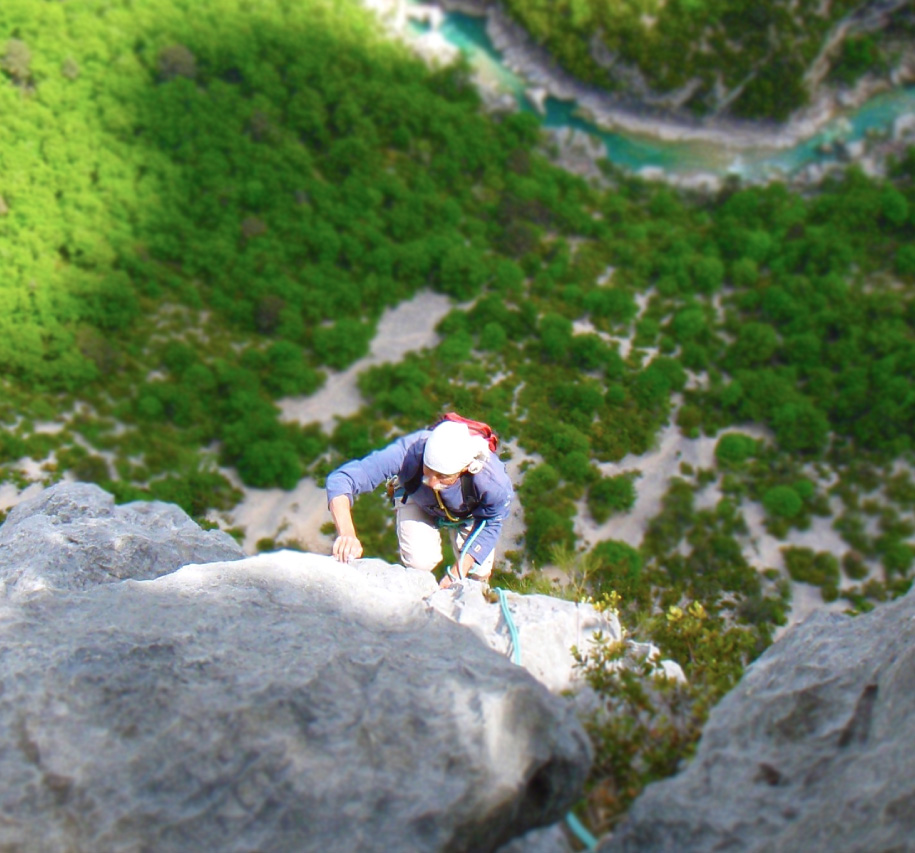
(812, 751)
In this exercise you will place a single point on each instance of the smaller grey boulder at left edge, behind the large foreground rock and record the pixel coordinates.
(72, 536)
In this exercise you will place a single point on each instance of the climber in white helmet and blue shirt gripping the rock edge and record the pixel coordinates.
(444, 477)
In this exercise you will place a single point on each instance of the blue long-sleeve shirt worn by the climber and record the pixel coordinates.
(404, 458)
